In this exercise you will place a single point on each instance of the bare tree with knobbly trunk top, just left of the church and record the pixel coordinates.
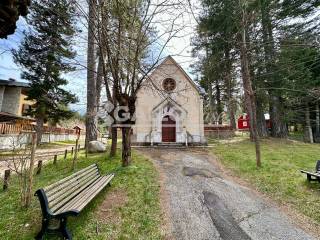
(131, 48)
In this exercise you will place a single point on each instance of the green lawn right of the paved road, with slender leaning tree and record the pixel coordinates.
(280, 176)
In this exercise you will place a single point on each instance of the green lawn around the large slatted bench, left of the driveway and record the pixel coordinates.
(139, 217)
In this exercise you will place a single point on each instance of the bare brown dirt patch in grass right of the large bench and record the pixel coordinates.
(107, 210)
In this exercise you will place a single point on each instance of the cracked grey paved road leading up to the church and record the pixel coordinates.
(203, 205)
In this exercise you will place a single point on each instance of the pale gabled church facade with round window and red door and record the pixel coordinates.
(169, 108)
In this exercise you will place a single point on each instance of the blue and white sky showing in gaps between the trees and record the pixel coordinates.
(179, 48)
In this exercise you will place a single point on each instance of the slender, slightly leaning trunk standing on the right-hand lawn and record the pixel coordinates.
(247, 84)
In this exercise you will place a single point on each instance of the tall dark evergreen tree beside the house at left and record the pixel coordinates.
(45, 54)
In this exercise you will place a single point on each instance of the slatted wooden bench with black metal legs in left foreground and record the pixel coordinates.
(68, 197)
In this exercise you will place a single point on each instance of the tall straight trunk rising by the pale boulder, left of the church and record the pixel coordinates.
(91, 128)
